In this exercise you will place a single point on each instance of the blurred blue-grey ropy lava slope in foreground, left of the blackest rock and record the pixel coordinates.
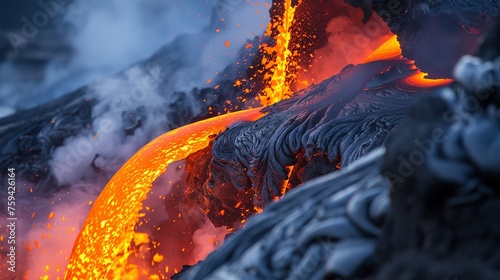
(328, 226)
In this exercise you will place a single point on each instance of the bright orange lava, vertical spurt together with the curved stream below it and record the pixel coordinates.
(104, 245)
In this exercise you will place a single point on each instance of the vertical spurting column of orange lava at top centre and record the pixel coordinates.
(278, 58)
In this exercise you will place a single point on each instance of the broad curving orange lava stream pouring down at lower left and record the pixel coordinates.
(103, 247)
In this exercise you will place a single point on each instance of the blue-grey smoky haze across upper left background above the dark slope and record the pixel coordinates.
(83, 40)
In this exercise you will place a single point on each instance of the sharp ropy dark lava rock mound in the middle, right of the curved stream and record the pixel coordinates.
(341, 119)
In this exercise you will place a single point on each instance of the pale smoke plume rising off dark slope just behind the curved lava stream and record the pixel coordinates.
(133, 106)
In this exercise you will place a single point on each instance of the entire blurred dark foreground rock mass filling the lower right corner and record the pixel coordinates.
(425, 206)
